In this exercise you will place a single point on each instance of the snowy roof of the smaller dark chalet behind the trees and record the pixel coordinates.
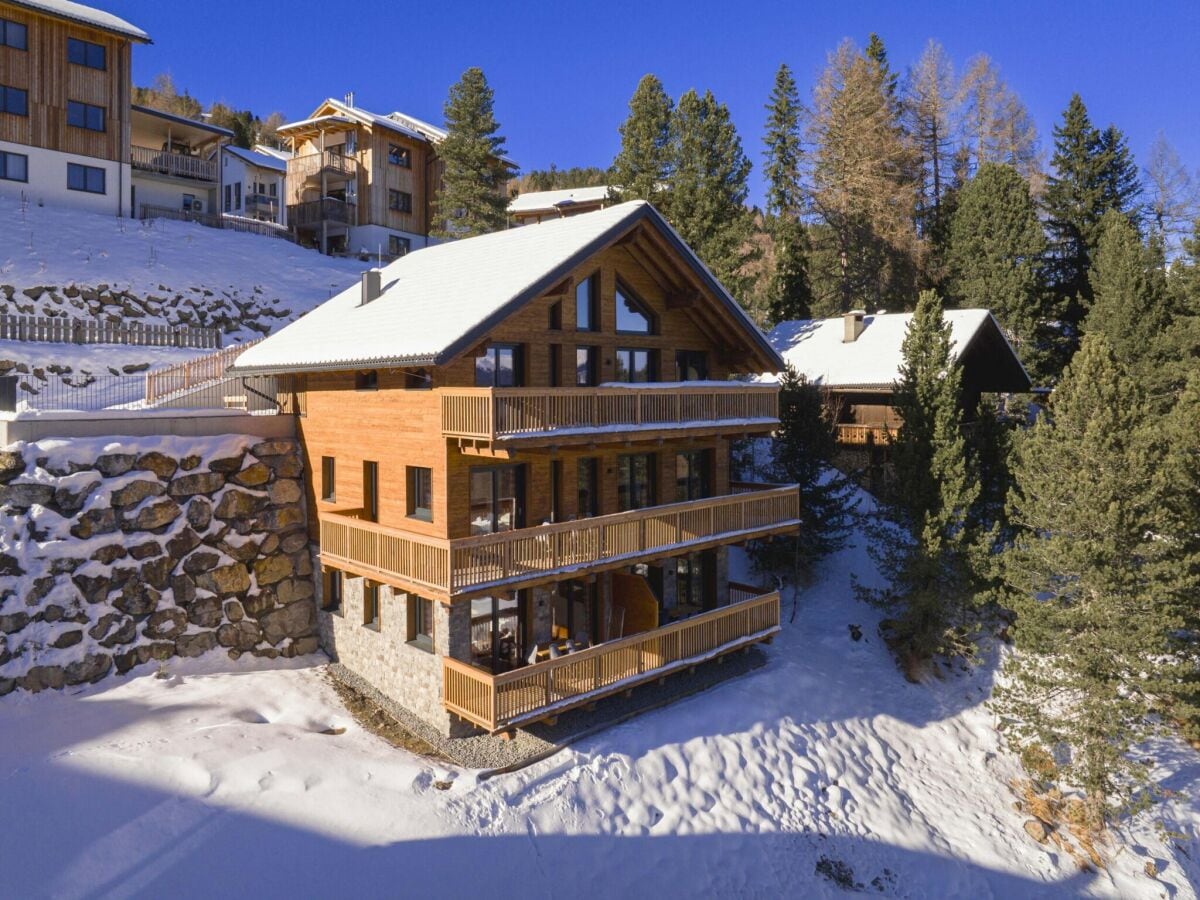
(815, 349)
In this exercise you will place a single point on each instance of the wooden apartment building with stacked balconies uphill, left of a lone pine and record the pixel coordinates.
(363, 183)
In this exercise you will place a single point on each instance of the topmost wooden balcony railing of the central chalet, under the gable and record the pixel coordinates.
(514, 413)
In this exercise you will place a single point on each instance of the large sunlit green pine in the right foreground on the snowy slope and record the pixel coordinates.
(1085, 575)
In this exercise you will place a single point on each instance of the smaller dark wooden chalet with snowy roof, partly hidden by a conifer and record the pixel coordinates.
(857, 357)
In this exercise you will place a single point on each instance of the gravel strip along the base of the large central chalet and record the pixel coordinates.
(537, 742)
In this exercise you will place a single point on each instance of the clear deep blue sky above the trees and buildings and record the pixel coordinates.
(563, 71)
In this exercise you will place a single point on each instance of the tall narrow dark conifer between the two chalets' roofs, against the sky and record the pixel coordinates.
(790, 296)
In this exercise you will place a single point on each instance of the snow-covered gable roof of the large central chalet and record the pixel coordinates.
(440, 302)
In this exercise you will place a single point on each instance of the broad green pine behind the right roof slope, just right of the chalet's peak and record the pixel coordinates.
(709, 188)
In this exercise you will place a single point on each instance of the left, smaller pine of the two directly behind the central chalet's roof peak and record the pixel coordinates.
(644, 165)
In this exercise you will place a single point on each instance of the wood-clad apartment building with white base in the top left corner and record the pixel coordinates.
(65, 117)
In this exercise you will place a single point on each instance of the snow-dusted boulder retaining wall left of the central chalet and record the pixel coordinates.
(119, 551)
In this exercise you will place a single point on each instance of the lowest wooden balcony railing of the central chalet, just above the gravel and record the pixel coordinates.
(497, 703)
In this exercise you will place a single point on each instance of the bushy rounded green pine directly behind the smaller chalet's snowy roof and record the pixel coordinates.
(995, 255)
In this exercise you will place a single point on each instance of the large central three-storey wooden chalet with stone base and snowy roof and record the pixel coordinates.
(518, 457)
